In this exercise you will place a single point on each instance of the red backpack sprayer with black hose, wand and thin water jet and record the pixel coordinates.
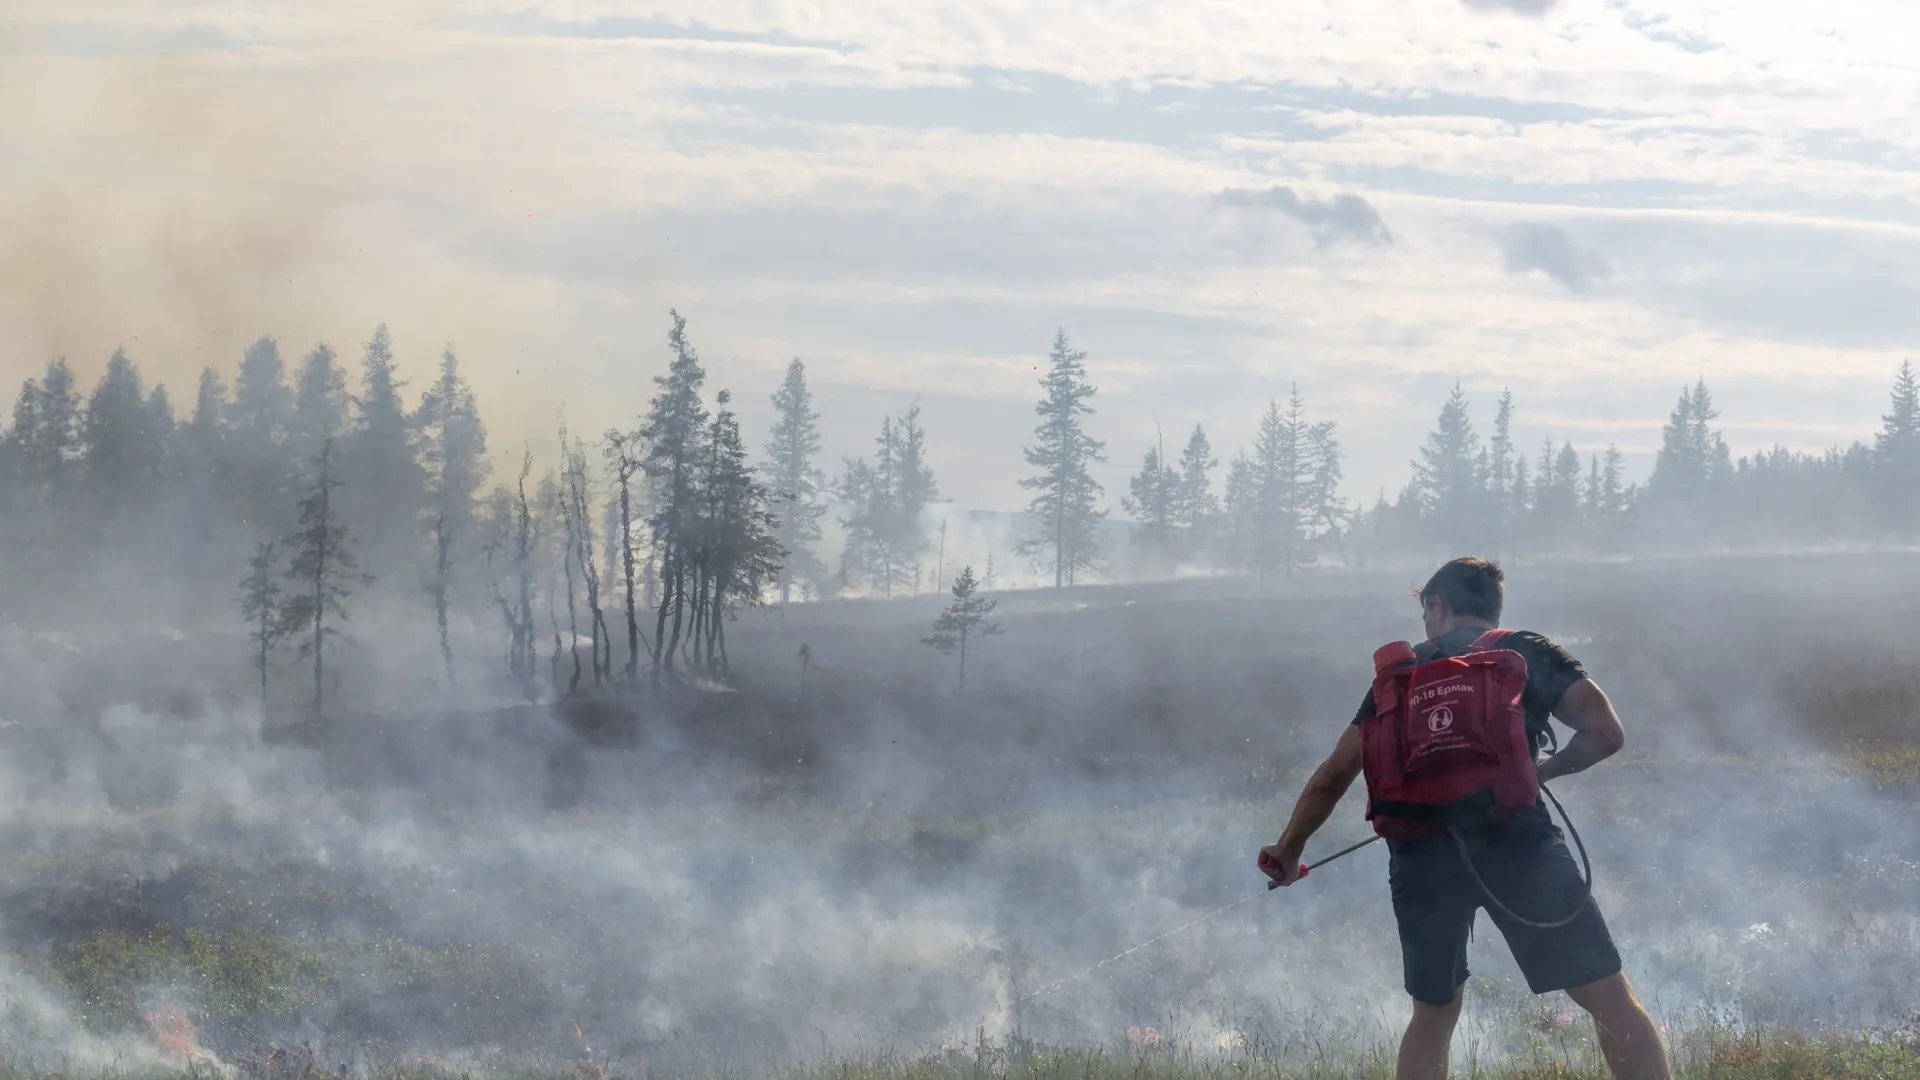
(1447, 750)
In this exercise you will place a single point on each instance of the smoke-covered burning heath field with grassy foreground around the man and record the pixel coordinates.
(875, 875)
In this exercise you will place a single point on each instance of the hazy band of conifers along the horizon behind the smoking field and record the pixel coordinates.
(625, 558)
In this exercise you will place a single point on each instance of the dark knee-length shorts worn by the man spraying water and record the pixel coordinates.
(1527, 864)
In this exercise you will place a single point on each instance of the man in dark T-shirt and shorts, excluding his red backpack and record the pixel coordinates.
(1524, 860)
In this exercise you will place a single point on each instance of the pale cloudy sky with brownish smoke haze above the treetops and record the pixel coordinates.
(1591, 203)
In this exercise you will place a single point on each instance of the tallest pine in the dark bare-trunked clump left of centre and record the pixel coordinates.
(673, 435)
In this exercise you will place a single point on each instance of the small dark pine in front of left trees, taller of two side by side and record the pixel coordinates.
(324, 572)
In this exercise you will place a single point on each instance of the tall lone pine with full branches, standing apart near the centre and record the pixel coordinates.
(1063, 453)
